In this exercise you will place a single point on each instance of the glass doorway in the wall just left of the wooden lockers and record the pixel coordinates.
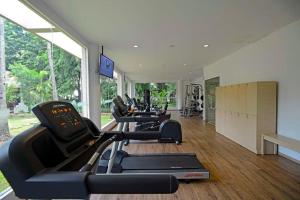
(210, 99)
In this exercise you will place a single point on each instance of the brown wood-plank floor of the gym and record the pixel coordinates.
(236, 173)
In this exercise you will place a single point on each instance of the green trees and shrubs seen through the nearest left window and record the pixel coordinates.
(27, 66)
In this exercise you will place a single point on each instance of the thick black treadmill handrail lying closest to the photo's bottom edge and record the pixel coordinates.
(80, 185)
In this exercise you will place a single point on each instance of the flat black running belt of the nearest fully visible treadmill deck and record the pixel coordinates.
(160, 162)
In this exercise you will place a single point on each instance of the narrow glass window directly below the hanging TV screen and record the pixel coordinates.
(108, 88)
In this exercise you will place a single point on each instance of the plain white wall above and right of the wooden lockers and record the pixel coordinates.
(275, 57)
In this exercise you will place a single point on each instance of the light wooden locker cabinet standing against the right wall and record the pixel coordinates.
(246, 111)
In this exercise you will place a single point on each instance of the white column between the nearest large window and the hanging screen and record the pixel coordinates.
(91, 84)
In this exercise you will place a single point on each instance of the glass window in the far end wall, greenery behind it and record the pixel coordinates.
(160, 93)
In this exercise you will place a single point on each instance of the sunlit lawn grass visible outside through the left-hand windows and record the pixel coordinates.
(20, 122)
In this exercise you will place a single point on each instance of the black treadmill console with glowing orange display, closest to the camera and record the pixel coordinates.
(61, 118)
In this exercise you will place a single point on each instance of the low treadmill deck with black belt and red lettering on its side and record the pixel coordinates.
(184, 166)
